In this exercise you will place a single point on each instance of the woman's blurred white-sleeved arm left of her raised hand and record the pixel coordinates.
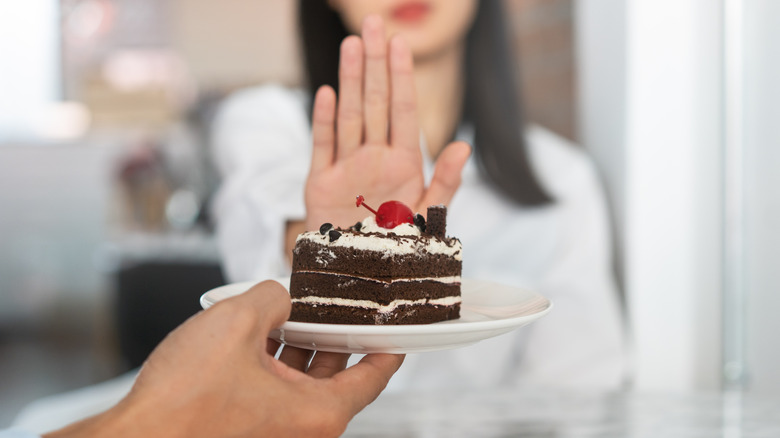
(262, 150)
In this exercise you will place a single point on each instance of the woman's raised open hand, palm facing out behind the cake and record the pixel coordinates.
(368, 142)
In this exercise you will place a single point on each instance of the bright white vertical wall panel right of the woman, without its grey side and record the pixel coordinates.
(673, 182)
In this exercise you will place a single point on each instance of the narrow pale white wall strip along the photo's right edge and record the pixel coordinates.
(762, 179)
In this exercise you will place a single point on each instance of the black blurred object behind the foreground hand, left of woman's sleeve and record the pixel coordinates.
(153, 298)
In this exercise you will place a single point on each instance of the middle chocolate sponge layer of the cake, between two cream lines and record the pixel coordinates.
(304, 284)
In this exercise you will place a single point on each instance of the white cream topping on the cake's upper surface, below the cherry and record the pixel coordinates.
(387, 245)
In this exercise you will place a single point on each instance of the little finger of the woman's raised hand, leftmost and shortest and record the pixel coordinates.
(323, 129)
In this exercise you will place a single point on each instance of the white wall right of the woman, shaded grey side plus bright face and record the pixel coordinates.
(651, 116)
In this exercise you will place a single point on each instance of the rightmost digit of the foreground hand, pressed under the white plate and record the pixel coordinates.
(361, 383)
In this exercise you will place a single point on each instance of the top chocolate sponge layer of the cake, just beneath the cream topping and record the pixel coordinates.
(312, 256)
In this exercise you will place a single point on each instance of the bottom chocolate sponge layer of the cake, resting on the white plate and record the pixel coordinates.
(417, 314)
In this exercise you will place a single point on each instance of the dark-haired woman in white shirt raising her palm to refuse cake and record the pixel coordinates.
(528, 209)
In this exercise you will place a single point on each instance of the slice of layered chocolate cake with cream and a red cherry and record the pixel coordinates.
(372, 274)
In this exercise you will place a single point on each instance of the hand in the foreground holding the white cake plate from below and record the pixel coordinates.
(216, 375)
